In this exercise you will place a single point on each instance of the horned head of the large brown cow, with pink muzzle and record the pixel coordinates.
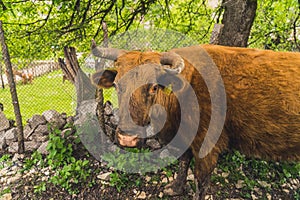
(145, 82)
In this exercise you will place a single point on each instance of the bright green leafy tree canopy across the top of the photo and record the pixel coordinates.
(39, 29)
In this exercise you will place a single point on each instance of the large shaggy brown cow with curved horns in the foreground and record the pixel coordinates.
(262, 93)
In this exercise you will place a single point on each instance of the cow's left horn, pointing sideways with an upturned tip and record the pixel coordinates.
(108, 53)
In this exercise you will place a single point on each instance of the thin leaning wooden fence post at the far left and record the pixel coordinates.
(13, 91)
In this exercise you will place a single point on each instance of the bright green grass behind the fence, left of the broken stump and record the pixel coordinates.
(45, 93)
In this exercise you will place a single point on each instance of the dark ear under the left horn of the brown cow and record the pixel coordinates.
(104, 78)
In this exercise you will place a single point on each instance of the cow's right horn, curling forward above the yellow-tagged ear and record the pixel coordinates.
(173, 59)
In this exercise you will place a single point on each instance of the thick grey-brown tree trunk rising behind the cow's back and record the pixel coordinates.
(238, 18)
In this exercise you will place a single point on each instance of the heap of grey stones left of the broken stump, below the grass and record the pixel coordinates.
(36, 131)
